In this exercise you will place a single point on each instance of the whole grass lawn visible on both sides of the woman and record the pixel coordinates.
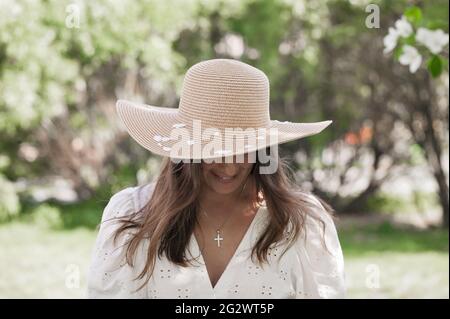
(39, 261)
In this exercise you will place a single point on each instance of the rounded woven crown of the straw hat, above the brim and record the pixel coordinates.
(225, 93)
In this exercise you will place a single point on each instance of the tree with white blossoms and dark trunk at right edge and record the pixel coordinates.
(424, 101)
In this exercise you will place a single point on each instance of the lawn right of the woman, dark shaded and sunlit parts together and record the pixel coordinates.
(387, 261)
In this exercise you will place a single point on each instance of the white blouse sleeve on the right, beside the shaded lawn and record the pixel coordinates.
(322, 267)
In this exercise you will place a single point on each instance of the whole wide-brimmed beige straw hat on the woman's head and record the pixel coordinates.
(223, 111)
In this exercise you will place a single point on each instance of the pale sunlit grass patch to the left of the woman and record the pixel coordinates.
(36, 262)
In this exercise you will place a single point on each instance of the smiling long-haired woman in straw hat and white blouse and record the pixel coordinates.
(217, 222)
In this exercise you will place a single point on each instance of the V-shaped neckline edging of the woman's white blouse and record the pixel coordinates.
(238, 250)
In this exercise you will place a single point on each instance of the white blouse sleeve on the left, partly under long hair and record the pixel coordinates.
(109, 275)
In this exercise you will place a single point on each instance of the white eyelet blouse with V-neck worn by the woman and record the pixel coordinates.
(306, 270)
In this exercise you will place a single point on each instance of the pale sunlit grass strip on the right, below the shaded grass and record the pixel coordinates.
(398, 275)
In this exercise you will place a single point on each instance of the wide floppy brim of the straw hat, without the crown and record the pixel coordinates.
(152, 126)
